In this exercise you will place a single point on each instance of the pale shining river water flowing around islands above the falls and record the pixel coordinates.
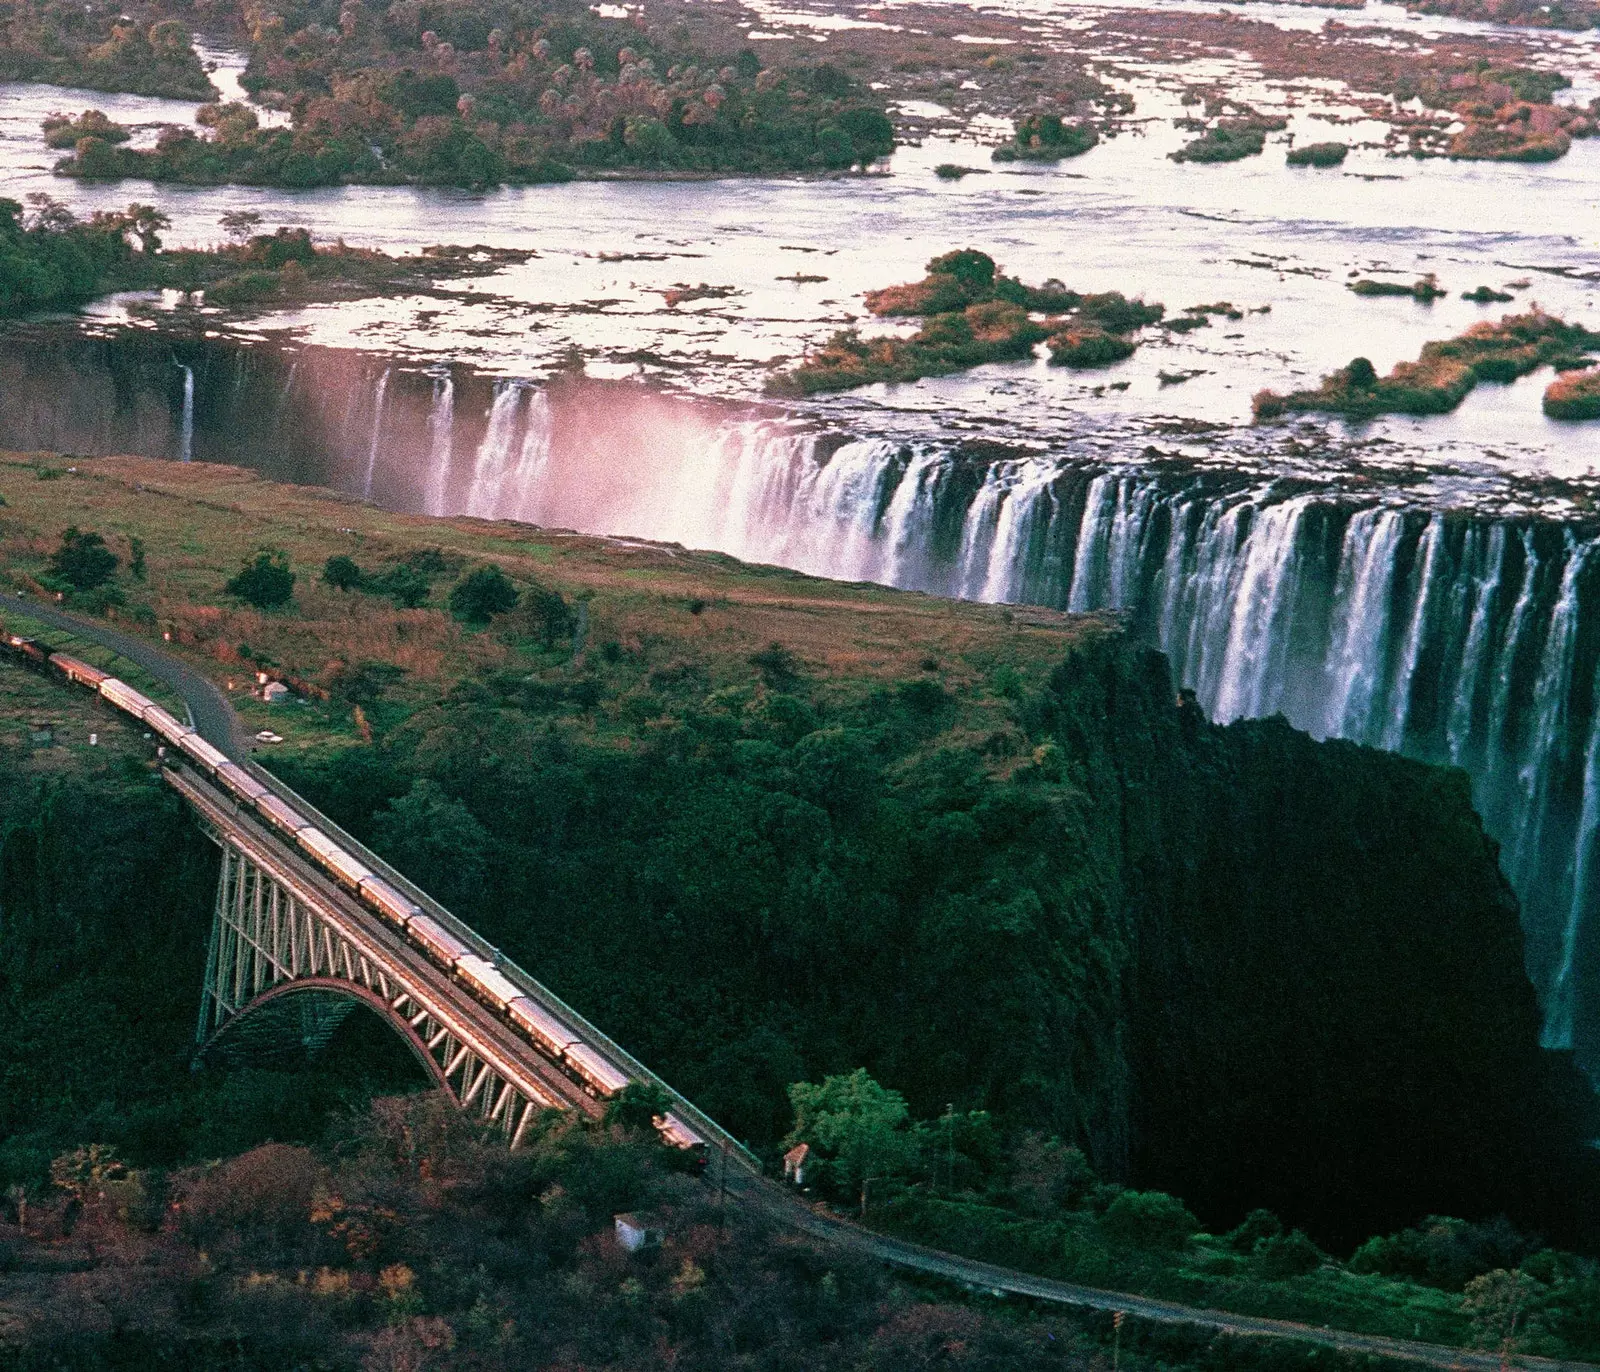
(790, 260)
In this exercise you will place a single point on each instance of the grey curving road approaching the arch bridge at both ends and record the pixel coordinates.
(215, 719)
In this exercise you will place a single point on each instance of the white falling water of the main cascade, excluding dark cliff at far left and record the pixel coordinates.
(1455, 642)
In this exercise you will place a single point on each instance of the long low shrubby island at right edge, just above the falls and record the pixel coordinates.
(1447, 370)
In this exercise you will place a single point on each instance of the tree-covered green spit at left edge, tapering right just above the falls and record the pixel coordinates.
(52, 261)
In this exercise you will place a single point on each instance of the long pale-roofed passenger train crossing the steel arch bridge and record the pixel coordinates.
(582, 1061)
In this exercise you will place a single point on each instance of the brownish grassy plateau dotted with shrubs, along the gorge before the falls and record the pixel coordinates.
(650, 610)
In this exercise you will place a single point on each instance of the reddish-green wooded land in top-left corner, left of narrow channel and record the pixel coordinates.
(95, 46)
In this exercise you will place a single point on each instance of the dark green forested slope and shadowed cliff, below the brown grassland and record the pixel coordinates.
(1103, 920)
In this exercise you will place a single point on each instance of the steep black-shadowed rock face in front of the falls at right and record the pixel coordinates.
(1327, 1010)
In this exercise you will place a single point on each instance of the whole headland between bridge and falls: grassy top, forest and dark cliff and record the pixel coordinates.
(764, 829)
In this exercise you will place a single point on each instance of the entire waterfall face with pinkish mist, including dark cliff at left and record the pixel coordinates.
(1452, 636)
